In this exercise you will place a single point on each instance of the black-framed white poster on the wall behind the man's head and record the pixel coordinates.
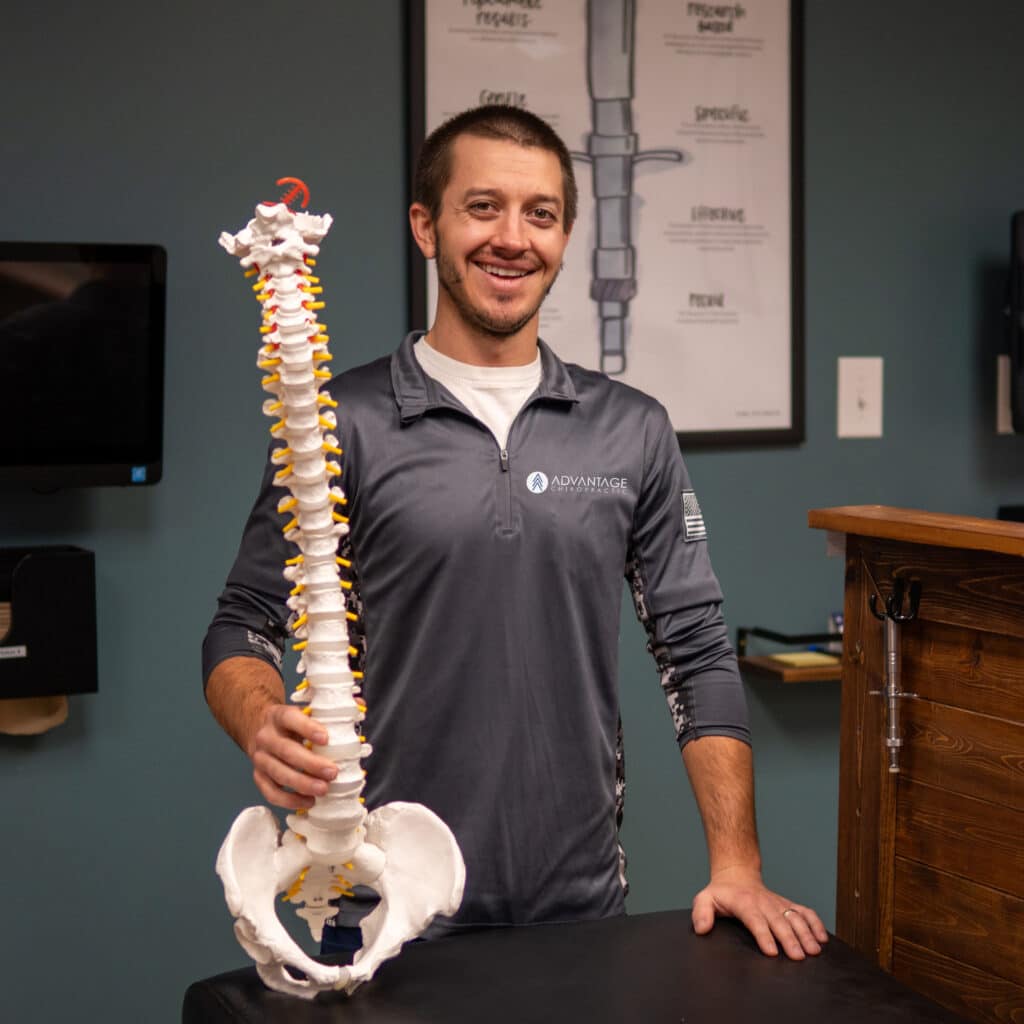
(685, 274)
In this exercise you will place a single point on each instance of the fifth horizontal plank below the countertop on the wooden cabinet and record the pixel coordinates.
(966, 922)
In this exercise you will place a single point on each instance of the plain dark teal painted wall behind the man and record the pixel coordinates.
(129, 122)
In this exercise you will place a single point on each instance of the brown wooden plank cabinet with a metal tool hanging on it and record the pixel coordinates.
(931, 859)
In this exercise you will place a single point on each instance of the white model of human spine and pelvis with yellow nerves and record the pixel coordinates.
(402, 850)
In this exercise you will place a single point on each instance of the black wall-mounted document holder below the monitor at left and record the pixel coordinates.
(51, 648)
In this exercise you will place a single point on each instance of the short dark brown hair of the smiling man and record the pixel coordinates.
(498, 121)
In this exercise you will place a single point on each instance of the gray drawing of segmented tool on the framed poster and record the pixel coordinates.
(613, 149)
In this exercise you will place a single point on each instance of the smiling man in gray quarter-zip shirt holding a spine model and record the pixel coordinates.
(497, 498)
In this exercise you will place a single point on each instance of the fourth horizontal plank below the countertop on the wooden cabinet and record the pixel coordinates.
(975, 839)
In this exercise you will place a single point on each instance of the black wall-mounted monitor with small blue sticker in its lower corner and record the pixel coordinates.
(82, 363)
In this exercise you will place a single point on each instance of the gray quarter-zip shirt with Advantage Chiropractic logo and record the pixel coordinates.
(488, 584)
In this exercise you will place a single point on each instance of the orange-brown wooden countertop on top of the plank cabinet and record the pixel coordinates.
(916, 527)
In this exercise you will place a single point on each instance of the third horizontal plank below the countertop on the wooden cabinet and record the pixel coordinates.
(972, 755)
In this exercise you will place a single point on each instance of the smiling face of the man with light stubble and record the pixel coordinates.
(500, 237)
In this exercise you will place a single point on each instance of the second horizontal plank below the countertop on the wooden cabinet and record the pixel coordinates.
(952, 665)
